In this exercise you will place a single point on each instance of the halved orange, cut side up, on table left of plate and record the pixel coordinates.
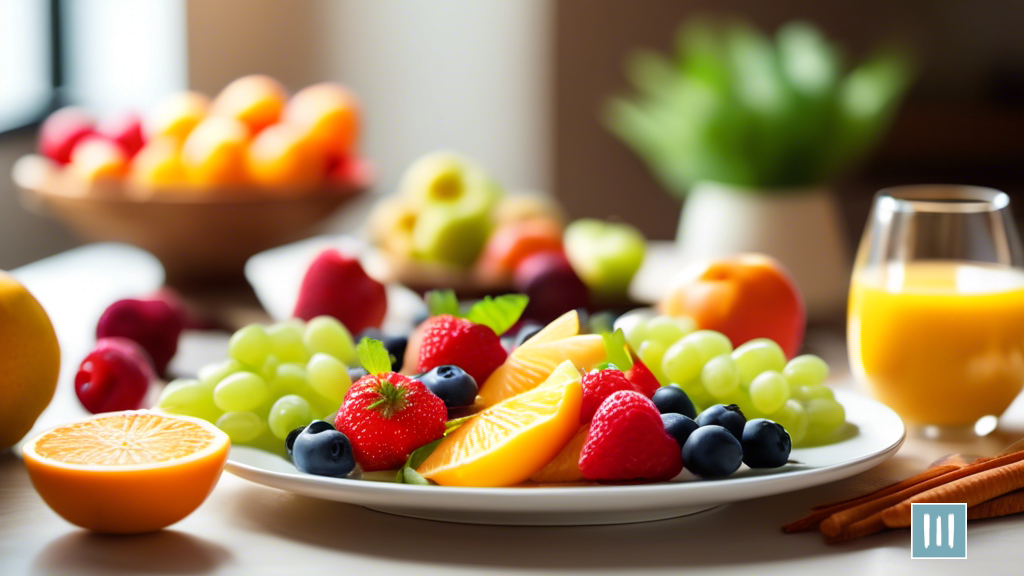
(125, 473)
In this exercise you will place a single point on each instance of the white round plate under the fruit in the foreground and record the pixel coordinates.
(878, 436)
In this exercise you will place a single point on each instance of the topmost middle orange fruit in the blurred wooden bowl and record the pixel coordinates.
(257, 101)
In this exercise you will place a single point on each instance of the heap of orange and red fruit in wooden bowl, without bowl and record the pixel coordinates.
(250, 138)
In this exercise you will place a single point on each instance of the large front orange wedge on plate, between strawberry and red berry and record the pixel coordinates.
(506, 444)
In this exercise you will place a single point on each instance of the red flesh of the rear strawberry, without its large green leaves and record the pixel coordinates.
(475, 348)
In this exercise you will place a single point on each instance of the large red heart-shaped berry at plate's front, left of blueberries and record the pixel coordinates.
(627, 441)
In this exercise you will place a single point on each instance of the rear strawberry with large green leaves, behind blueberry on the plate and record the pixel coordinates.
(472, 344)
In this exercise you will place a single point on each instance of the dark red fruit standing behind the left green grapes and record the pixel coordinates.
(336, 285)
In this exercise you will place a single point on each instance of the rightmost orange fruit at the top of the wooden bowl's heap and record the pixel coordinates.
(329, 114)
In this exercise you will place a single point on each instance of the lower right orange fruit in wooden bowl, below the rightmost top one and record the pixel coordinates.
(280, 156)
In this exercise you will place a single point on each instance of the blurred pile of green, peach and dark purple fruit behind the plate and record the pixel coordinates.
(450, 224)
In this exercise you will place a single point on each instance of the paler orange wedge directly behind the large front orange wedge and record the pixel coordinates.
(529, 365)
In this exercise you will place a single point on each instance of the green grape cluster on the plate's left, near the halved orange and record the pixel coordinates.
(279, 378)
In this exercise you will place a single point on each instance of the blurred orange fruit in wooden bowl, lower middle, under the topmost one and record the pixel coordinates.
(215, 154)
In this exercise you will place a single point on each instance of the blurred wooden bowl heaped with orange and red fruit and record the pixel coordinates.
(202, 183)
